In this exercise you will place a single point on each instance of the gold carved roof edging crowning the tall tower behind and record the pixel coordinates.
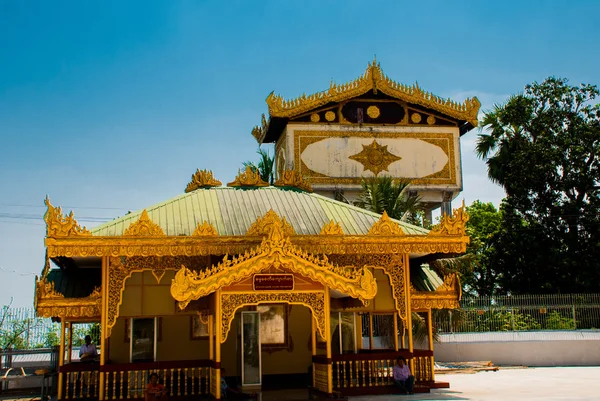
(374, 79)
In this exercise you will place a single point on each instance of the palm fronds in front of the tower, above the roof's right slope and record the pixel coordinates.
(384, 193)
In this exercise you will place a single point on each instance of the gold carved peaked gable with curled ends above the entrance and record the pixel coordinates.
(276, 251)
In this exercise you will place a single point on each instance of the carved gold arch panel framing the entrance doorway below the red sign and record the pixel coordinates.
(231, 302)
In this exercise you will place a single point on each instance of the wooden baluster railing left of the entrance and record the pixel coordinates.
(125, 381)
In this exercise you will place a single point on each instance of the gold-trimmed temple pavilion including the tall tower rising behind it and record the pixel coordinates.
(277, 284)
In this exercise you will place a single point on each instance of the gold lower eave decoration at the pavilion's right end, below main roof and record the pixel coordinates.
(446, 296)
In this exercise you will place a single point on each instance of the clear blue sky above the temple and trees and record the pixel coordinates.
(111, 106)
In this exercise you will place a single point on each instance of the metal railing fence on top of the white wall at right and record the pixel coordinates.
(521, 313)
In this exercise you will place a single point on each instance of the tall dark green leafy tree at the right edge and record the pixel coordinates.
(543, 147)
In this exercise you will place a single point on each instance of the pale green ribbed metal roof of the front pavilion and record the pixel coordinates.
(232, 210)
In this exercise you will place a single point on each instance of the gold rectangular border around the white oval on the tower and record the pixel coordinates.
(446, 176)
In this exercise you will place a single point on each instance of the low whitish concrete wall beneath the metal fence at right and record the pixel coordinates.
(542, 348)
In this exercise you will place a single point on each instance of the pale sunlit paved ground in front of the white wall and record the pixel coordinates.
(551, 384)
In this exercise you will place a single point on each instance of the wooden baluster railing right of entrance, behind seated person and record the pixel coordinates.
(376, 369)
